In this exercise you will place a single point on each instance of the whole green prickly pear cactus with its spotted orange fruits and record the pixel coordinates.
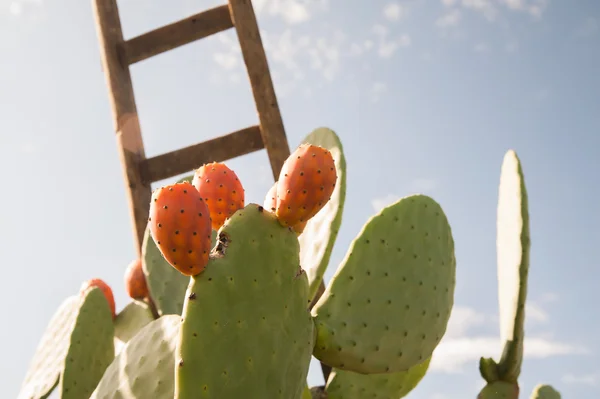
(239, 322)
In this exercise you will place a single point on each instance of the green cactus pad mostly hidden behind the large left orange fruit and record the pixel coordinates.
(166, 285)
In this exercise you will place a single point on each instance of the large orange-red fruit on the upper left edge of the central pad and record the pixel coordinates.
(180, 226)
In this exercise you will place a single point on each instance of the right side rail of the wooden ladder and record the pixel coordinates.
(271, 124)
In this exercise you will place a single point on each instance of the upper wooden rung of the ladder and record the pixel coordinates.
(178, 34)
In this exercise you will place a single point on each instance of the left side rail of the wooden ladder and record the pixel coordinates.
(124, 112)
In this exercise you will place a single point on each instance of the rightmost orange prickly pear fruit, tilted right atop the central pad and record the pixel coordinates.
(305, 184)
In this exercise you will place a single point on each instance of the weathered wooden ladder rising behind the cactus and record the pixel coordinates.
(118, 54)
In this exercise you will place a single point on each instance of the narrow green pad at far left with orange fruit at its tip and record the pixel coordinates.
(91, 347)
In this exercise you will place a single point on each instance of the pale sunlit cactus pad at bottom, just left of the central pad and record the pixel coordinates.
(145, 367)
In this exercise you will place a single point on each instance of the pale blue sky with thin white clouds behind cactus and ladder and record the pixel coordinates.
(426, 96)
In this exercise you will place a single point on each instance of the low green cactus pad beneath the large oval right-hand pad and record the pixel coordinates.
(348, 385)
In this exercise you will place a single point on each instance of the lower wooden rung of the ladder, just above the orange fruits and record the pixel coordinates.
(187, 159)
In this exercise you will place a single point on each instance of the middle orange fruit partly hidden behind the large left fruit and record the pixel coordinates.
(221, 189)
